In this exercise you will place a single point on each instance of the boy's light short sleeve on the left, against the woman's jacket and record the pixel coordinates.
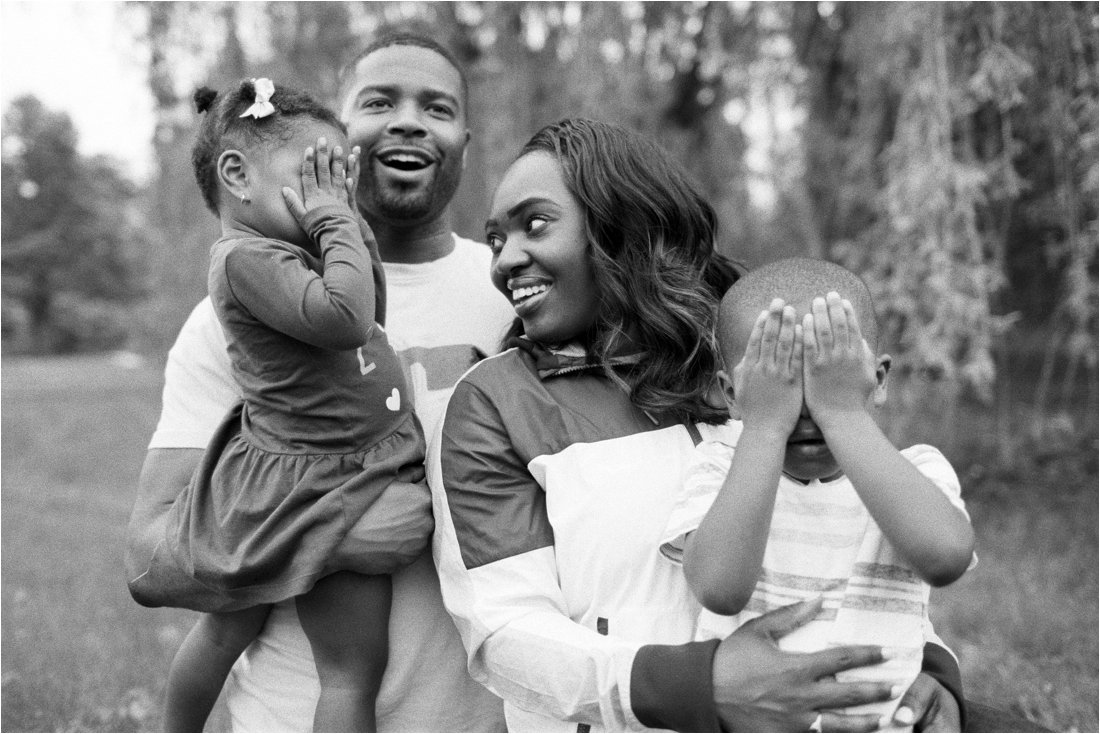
(706, 476)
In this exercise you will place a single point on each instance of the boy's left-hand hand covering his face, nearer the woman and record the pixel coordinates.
(768, 380)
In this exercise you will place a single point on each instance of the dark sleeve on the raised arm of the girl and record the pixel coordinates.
(332, 310)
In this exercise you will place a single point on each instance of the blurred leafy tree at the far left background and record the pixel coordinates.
(72, 240)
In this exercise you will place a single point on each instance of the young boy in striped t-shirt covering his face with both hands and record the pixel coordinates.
(816, 501)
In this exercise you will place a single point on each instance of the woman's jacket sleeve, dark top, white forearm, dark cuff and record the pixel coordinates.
(494, 551)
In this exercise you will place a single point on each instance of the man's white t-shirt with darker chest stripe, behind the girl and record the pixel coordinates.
(439, 317)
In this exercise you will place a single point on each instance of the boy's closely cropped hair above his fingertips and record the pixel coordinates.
(798, 281)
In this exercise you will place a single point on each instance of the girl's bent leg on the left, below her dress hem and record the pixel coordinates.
(203, 664)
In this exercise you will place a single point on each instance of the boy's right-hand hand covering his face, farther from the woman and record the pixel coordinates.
(840, 373)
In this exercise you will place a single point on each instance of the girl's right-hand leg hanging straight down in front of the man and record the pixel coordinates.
(347, 619)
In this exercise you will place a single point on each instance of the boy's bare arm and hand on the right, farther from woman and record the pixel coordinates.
(841, 376)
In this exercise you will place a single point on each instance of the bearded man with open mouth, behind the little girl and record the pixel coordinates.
(404, 101)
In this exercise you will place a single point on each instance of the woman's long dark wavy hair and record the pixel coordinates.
(652, 242)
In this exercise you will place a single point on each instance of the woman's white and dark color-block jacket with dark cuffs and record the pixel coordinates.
(551, 492)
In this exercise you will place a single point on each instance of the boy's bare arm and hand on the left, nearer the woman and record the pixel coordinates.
(723, 556)
